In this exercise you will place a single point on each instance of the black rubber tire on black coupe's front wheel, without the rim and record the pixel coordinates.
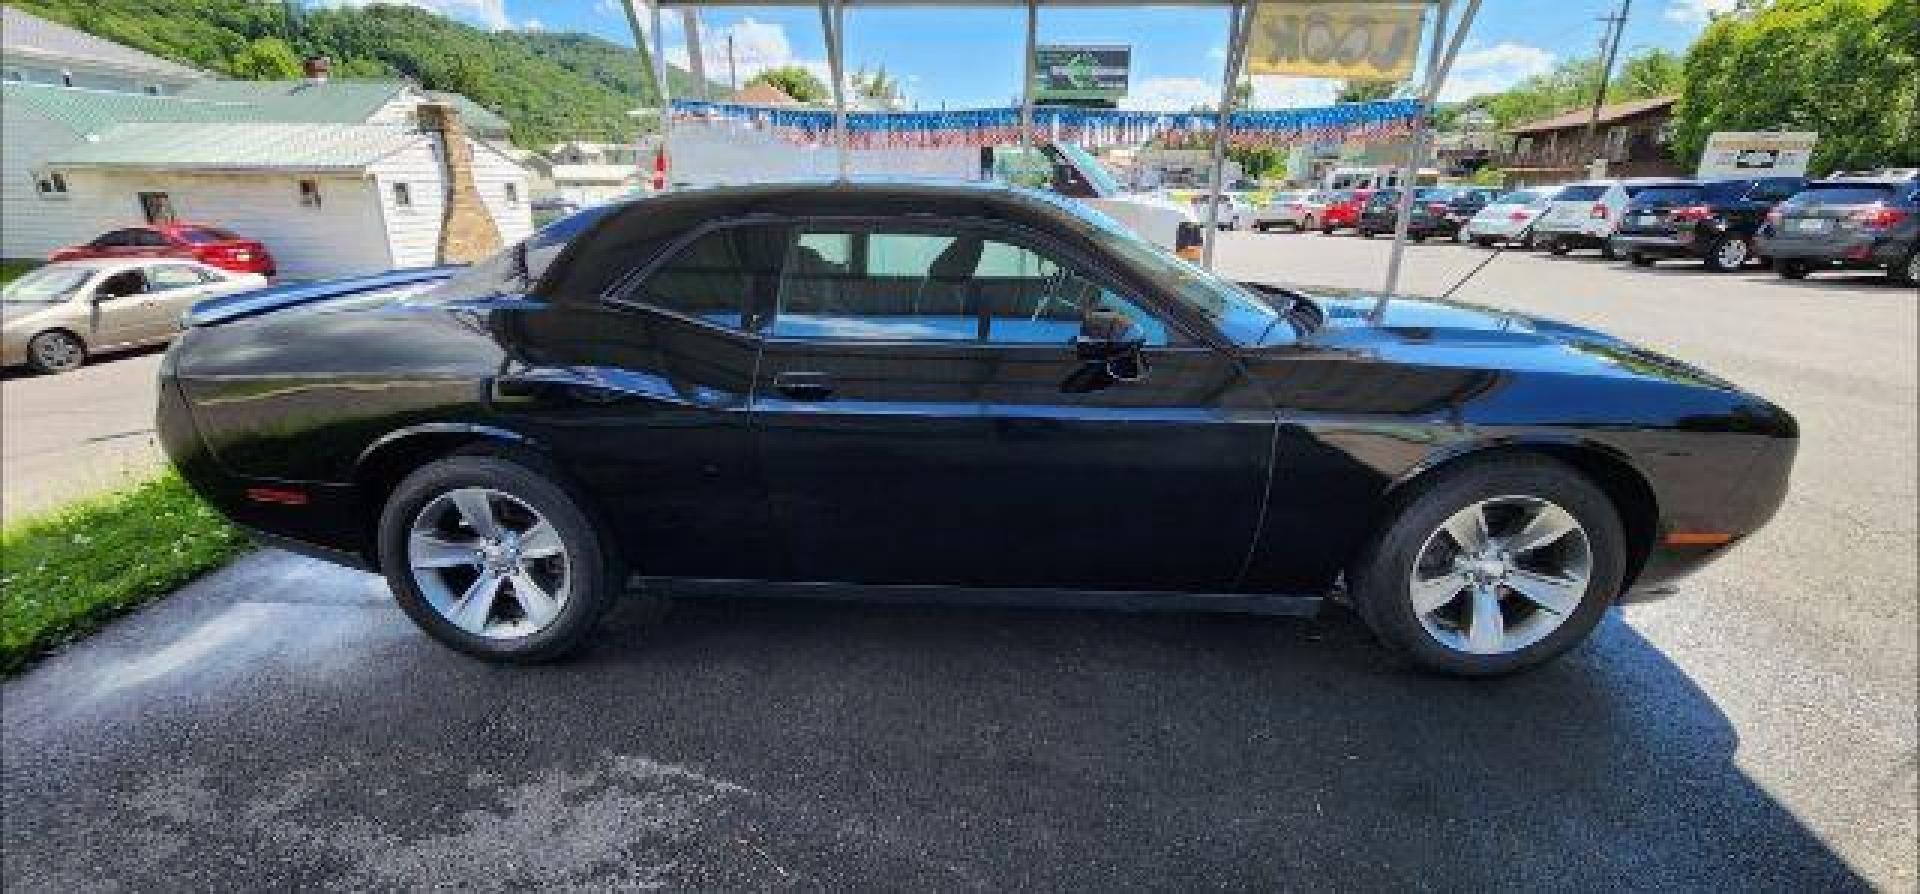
(1381, 575)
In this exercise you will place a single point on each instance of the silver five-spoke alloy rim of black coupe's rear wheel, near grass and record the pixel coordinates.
(473, 544)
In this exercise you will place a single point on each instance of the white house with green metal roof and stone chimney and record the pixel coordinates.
(337, 177)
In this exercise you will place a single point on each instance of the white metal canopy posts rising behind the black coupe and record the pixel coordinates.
(1441, 55)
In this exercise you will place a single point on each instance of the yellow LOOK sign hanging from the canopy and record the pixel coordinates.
(1353, 41)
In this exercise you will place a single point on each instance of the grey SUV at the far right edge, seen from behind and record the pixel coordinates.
(1848, 223)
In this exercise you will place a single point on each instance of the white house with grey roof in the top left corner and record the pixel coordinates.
(43, 53)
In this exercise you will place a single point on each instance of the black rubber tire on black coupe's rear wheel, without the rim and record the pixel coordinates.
(598, 573)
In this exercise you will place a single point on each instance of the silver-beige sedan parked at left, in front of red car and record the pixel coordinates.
(59, 316)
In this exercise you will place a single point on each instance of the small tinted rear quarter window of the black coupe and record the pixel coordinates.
(715, 277)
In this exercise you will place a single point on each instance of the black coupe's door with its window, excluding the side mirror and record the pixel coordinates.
(923, 419)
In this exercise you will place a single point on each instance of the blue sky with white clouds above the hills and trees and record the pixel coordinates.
(972, 57)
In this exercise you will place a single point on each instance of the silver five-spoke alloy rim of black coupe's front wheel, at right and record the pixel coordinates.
(1500, 575)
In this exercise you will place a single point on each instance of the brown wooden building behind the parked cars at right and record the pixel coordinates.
(1633, 137)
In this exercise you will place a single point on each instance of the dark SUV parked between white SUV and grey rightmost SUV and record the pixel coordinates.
(1708, 220)
